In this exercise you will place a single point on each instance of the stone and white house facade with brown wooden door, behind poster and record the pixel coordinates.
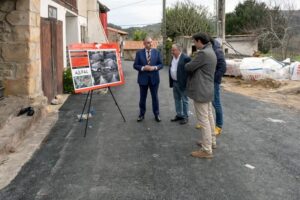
(34, 35)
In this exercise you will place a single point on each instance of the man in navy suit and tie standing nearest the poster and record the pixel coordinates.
(148, 63)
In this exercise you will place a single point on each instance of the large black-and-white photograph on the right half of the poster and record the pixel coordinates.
(104, 66)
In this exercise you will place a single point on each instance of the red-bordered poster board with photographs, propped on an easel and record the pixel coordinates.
(95, 66)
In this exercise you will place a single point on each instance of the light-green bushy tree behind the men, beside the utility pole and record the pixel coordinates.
(187, 18)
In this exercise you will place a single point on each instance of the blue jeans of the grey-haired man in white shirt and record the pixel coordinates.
(181, 101)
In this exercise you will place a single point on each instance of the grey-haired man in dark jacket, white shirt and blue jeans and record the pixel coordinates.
(178, 77)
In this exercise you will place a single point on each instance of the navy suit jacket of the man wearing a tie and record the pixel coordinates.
(145, 77)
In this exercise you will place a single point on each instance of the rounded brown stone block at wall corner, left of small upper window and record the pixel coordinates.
(16, 18)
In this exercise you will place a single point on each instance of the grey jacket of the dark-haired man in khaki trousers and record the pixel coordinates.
(201, 70)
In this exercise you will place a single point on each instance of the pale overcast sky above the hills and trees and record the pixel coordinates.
(143, 12)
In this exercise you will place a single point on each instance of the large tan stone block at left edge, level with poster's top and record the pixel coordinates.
(16, 52)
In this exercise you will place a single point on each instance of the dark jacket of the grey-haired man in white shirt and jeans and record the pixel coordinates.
(181, 73)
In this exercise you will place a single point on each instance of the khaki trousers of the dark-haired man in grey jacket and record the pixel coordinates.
(205, 118)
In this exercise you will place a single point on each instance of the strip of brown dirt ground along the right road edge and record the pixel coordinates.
(285, 92)
